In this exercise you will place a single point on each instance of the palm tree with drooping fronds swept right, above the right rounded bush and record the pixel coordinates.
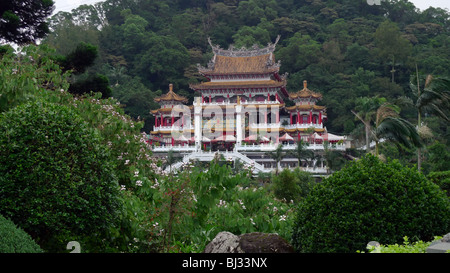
(390, 126)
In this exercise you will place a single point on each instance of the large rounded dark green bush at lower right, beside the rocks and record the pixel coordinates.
(366, 201)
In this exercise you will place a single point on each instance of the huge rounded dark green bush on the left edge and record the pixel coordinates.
(56, 179)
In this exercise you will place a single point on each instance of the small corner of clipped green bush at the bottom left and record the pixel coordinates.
(15, 240)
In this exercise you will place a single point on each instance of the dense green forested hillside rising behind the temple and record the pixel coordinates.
(345, 48)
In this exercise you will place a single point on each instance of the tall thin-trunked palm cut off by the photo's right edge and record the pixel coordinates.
(433, 99)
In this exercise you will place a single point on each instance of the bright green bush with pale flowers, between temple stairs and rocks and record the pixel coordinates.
(192, 207)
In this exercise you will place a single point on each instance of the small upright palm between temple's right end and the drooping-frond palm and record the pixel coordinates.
(366, 108)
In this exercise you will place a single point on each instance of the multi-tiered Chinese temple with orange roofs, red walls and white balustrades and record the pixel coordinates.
(240, 112)
